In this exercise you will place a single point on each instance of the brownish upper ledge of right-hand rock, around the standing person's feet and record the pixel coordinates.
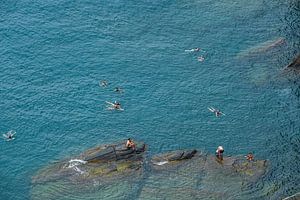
(237, 165)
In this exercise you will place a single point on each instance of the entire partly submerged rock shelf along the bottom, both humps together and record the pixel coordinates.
(118, 171)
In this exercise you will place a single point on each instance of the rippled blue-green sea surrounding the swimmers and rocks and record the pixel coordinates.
(53, 54)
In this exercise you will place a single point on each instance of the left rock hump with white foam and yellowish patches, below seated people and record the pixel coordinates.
(99, 162)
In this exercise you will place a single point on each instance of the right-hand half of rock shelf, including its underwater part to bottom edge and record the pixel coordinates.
(203, 176)
